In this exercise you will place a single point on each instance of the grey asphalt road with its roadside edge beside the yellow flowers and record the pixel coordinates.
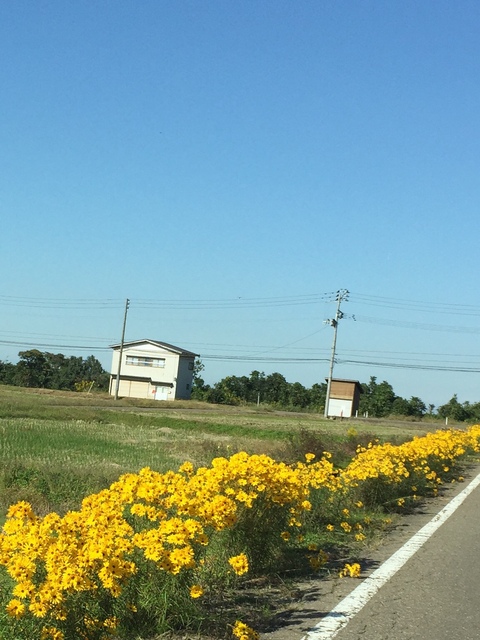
(434, 595)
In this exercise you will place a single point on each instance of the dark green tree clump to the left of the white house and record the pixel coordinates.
(45, 370)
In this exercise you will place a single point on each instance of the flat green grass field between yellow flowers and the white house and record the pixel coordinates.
(90, 439)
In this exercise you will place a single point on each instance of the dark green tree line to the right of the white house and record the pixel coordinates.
(377, 400)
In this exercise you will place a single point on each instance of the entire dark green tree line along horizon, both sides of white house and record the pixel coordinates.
(378, 400)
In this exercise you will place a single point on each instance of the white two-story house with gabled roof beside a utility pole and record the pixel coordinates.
(152, 369)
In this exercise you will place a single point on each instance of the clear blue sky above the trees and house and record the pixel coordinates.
(227, 165)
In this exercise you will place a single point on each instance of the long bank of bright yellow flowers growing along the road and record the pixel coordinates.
(144, 553)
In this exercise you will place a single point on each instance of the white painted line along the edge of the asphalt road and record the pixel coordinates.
(339, 617)
